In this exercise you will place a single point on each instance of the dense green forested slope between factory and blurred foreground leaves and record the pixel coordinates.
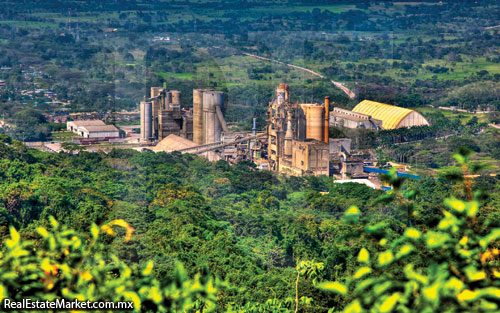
(247, 227)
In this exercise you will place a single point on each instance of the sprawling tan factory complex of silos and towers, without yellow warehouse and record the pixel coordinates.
(296, 140)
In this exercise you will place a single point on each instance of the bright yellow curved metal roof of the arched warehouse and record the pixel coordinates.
(390, 115)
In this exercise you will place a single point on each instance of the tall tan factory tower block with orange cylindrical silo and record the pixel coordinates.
(297, 135)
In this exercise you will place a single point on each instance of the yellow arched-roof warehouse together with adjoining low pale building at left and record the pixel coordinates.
(375, 115)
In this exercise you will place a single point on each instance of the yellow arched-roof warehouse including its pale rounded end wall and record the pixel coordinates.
(391, 116)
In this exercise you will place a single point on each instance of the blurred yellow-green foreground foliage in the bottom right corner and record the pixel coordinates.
(452, 267)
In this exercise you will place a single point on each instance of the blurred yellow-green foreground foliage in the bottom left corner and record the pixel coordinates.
(67, 264)
